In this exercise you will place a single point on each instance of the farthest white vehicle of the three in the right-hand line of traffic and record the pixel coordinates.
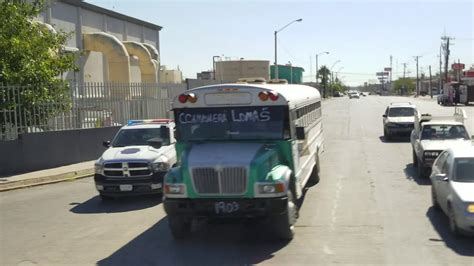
(399, 119)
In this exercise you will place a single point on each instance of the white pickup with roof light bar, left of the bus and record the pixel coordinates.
(137, 159)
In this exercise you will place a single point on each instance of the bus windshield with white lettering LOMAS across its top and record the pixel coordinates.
(231, 123)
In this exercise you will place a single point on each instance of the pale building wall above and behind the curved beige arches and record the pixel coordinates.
(80, 17)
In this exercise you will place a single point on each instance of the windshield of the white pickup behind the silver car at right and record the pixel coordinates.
(444, 132)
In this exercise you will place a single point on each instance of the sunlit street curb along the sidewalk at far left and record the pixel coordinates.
(44, 180)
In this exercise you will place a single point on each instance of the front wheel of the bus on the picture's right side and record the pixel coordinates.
(284, 224)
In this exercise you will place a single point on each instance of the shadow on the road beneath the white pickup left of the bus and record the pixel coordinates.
(125, 204)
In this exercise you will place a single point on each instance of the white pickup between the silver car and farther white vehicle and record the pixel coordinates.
(432, 135)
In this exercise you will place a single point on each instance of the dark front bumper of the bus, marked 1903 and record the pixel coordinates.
(226, 208)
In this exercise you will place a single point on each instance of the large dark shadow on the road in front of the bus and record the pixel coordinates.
(211, 244)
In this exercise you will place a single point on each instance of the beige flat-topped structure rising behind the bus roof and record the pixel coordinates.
(232, 70)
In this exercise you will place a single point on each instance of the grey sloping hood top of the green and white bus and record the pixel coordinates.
(223, 154)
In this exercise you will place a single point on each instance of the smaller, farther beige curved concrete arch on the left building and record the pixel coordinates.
(147, 67)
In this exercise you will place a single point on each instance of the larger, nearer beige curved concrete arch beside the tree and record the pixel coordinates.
(115, 52)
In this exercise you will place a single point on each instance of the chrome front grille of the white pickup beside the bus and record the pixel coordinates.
(127, 169)
